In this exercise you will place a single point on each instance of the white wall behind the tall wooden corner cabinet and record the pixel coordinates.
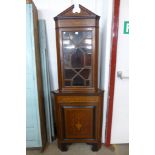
(48, 9)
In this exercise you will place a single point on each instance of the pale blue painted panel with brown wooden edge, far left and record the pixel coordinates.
(35, 116)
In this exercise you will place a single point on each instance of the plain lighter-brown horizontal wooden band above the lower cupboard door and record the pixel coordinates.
(66, 99)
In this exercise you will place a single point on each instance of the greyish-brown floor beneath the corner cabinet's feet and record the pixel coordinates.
(82, 149)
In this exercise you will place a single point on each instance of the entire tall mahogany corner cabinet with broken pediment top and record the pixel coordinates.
(78, 101)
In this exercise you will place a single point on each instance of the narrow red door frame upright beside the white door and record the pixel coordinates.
(112, 70)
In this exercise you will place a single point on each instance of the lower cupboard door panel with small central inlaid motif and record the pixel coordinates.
(78, 122)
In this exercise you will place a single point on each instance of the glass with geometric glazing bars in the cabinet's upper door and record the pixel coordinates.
(77, 54)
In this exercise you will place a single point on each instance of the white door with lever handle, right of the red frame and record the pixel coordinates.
(120, 120)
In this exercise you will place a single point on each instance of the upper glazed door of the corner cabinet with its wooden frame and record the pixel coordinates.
(78, 59)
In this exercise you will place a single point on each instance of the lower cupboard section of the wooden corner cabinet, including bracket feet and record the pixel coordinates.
(79, 118)
